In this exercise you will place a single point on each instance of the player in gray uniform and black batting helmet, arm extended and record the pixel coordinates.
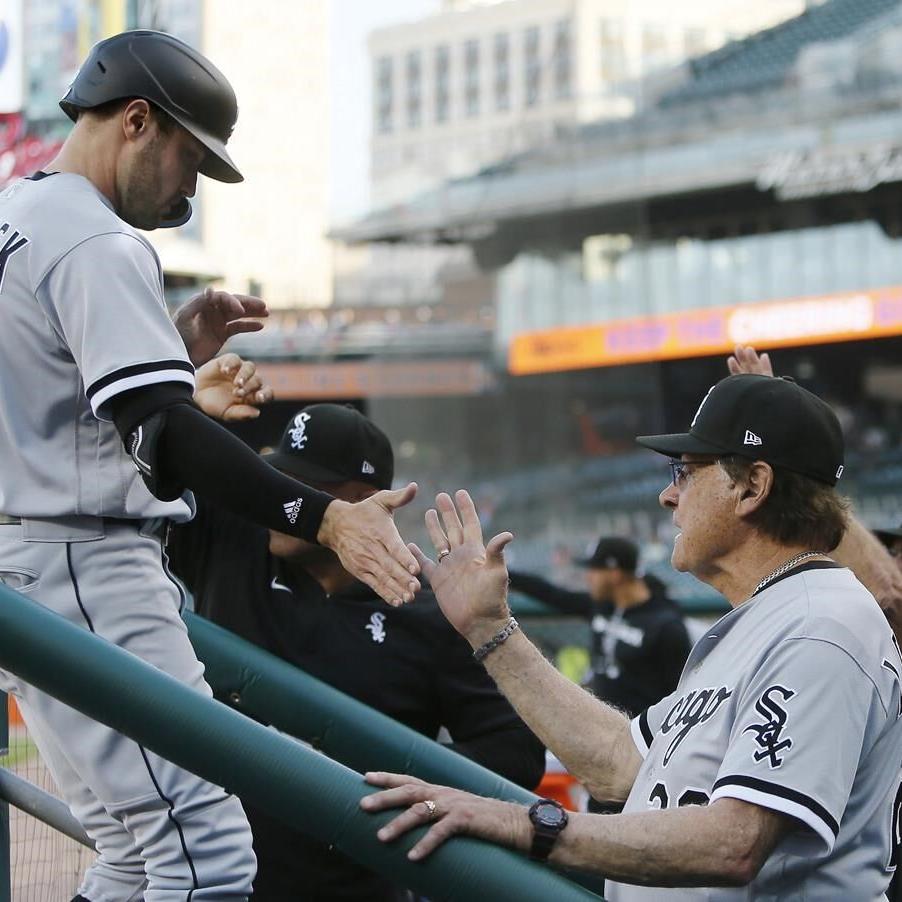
(101, 445)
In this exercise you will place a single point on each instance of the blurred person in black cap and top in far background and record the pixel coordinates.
(639, 640)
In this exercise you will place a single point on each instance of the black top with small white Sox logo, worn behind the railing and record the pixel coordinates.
(406, 662)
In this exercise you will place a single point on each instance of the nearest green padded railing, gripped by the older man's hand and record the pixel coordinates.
(296, 784)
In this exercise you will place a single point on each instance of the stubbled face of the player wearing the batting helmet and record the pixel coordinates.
(163, 171)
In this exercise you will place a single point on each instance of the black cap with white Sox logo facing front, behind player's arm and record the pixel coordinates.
(334, 443)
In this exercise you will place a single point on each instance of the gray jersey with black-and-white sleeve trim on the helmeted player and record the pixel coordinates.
(82, 318)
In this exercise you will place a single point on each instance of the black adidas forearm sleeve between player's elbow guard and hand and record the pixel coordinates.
(202, 455)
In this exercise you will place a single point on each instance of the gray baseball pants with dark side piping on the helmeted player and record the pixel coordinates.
(161, 833)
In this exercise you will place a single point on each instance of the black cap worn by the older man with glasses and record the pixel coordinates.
(762, 418)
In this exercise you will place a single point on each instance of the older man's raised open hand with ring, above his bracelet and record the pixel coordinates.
(470, 583)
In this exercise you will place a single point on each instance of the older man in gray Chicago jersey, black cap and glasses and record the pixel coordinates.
(772, 772)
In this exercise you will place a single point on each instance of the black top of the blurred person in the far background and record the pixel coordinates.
(637, 653)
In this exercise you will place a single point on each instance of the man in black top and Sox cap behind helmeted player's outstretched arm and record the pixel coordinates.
(296, 600)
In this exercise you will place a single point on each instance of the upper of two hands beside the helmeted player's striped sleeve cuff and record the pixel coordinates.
(210, 319)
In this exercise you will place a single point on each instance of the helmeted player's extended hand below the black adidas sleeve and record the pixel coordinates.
(365, 538)
